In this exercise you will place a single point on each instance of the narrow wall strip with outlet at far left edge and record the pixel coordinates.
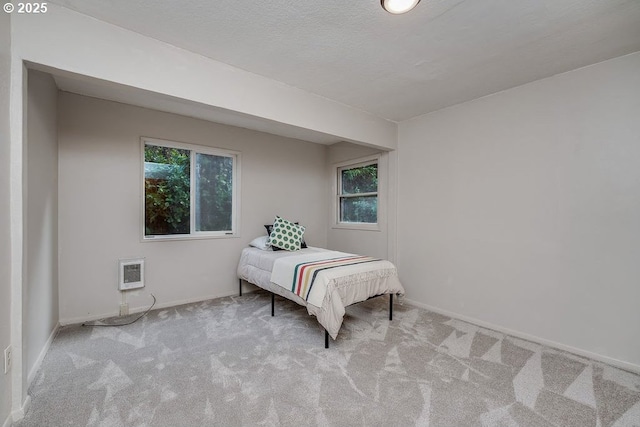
(5, 230)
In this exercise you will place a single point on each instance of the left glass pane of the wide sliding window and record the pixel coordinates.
(167, 190)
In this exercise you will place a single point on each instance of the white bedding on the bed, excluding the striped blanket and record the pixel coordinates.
(255, 267)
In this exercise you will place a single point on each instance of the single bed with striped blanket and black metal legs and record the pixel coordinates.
(359, 279)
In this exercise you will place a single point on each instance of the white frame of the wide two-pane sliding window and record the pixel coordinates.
(235, 192)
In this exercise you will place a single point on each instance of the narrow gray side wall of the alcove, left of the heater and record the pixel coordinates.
(40, 292)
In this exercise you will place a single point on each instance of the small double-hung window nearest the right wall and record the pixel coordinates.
(358, 193)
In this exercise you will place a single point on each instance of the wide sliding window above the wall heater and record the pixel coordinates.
(189, 191)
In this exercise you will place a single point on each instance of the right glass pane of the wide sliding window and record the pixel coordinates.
(214, 191)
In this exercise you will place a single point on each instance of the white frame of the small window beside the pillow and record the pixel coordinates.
(337, 189)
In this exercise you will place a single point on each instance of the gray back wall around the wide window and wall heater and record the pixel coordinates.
(100, 204)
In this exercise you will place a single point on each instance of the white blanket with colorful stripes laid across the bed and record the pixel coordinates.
(308, 275)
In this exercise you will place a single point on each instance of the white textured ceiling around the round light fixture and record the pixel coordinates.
(442, 53)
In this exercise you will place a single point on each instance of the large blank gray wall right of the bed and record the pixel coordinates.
(521, 209)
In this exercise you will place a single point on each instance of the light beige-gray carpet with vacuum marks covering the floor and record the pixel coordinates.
(227, 362)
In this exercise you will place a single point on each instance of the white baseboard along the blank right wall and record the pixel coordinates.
(631, 367)
